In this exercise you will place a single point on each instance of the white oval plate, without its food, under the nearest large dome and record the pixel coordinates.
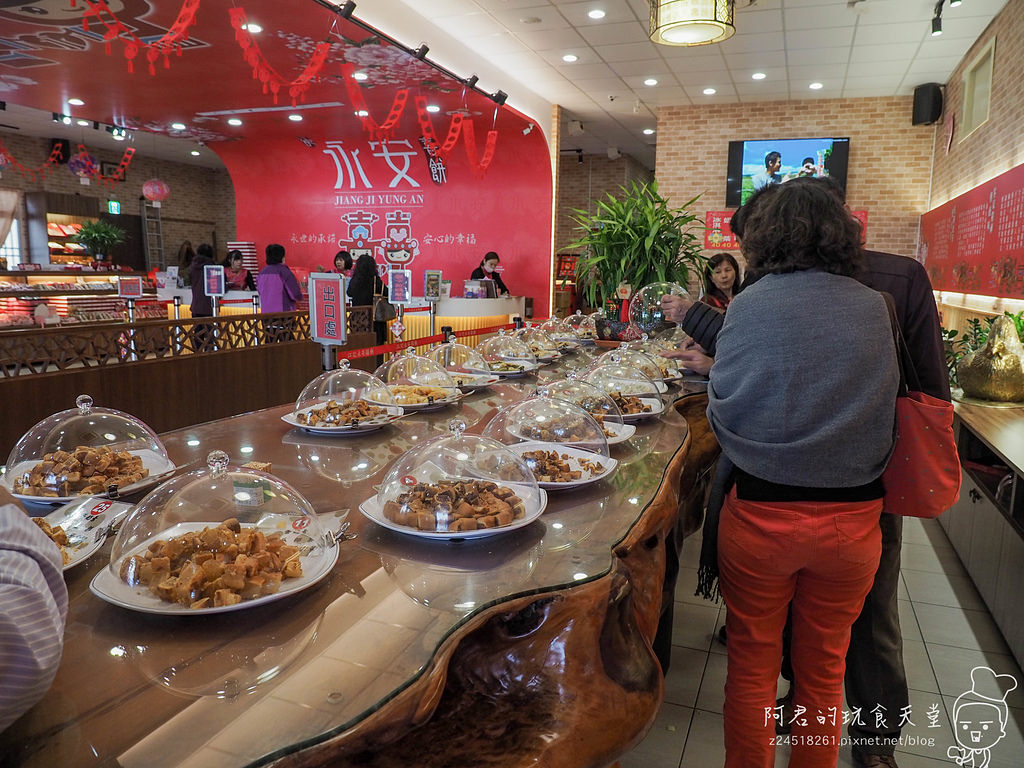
(108, 587)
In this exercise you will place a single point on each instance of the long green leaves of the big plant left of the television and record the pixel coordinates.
(636, 238)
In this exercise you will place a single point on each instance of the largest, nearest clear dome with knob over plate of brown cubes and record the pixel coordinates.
(217, 539)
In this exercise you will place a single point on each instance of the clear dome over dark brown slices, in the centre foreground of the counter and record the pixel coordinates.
(457, 486)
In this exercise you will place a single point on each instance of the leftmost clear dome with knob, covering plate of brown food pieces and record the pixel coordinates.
(84, 451)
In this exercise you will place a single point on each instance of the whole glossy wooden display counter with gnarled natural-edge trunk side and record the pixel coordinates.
(530, 648)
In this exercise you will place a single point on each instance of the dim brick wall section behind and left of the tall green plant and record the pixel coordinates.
(581, 184)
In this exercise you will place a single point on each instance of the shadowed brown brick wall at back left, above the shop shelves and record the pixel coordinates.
(201, 207)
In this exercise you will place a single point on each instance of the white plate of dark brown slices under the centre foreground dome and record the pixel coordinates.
(468, 509)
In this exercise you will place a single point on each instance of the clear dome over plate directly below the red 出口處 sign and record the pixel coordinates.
(345, 399)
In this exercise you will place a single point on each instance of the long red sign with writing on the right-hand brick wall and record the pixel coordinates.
(975, 243)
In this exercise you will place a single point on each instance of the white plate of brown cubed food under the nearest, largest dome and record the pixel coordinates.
(180, 583)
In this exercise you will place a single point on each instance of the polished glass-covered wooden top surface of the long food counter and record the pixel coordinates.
(253, 687)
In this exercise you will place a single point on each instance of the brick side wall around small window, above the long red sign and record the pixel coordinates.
(997, 146)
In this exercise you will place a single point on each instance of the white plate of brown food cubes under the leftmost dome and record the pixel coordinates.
(64, 477)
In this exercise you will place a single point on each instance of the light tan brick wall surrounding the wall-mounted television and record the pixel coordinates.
(889, 158)
